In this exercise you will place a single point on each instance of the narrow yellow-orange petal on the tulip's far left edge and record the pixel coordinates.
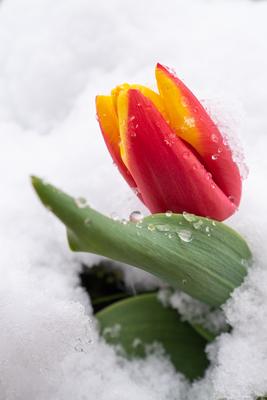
(108, 122)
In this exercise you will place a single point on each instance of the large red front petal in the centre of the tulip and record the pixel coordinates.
(167, 173)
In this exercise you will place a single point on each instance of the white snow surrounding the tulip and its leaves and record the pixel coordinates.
(55, 56)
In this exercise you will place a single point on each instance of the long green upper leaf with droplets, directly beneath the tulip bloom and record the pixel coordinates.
(201, 257)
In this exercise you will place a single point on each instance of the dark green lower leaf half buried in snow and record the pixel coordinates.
(142, 320)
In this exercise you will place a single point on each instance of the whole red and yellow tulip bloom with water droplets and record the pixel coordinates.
(168, 148)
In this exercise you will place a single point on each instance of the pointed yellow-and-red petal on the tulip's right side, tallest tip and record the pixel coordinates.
(190, 121)
